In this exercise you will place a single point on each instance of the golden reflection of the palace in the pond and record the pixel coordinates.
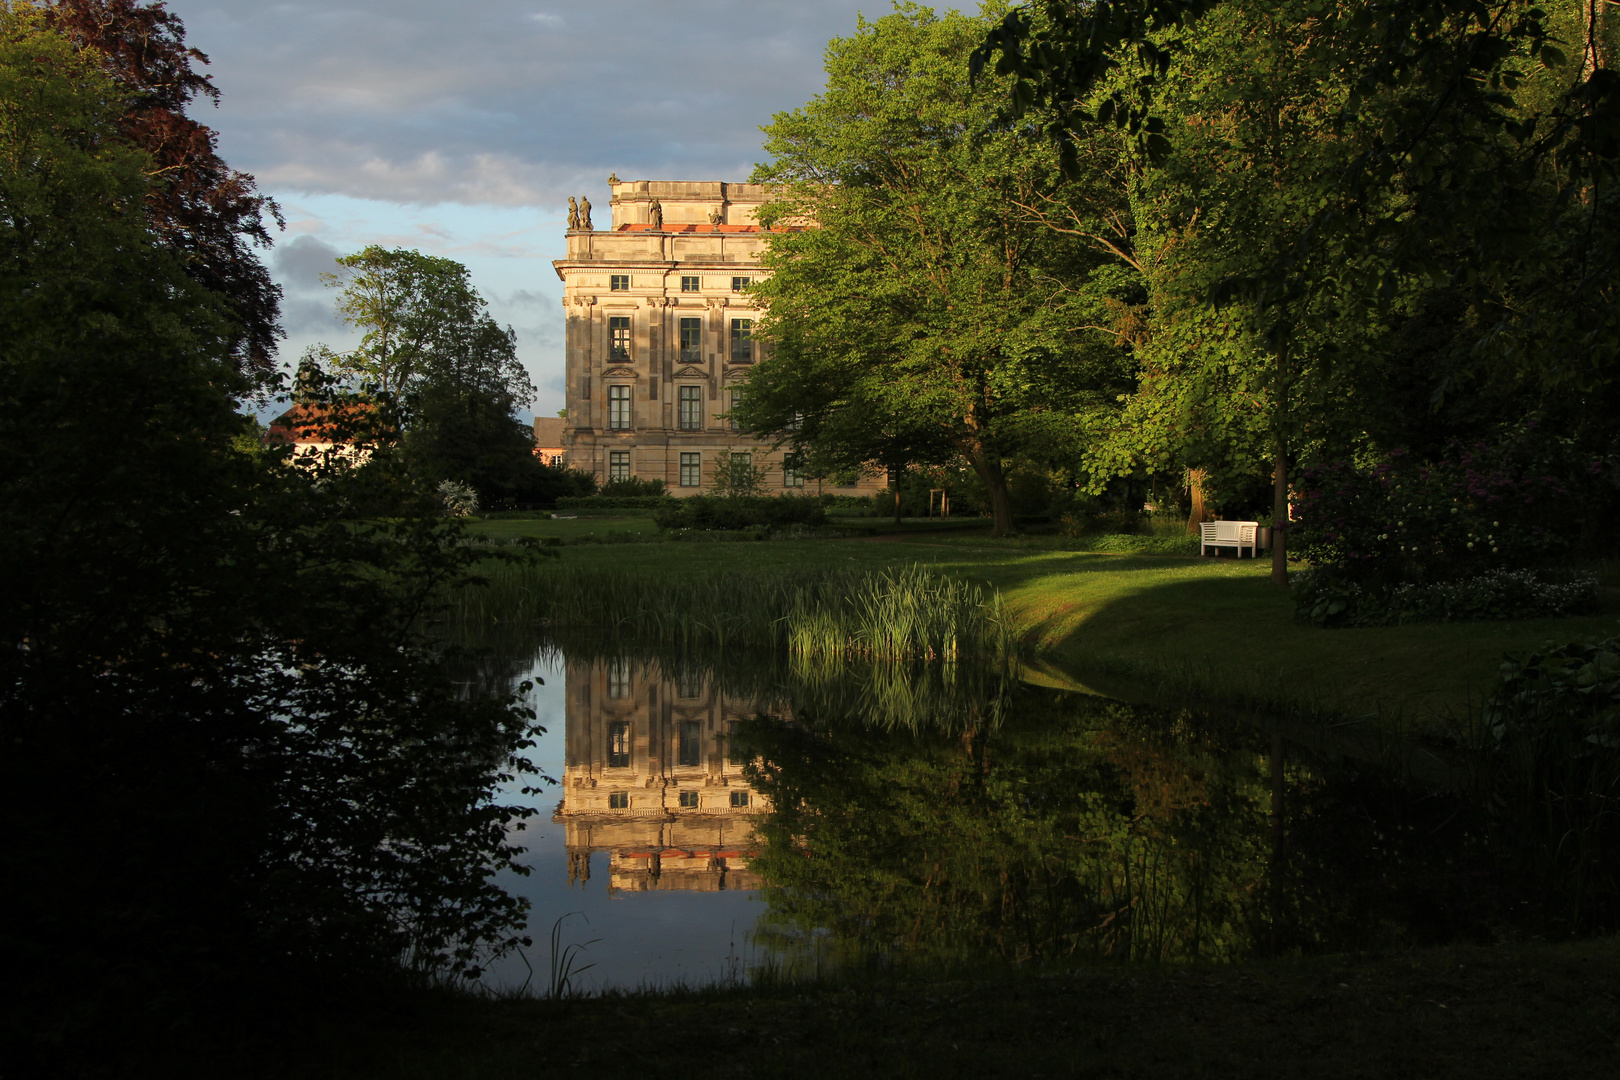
(650, 783)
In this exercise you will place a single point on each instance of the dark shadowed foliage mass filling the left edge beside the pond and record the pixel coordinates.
(202, 645)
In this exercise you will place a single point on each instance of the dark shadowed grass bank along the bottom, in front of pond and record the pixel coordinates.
(1467, 1013)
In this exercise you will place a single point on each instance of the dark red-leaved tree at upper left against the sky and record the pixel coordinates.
(208, 215)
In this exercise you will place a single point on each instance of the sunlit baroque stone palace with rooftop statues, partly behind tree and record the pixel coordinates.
(660, 338)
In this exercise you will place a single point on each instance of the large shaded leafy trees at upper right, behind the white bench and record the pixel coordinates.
(1392, 161)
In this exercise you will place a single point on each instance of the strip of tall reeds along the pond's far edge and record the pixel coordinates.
(906, 614)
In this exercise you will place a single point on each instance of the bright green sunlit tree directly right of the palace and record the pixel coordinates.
(926, 313)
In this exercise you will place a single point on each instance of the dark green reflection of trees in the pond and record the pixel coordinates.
(1083, 828)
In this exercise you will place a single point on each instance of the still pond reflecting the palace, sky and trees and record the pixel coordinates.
(722, 819)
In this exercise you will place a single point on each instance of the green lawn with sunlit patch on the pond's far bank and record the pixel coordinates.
(1143, 627)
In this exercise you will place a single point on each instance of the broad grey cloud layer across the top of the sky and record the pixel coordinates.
(500, 104)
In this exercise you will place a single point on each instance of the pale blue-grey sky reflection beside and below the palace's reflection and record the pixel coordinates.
(660, 937)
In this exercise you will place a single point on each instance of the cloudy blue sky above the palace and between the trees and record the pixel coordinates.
(463, 129)
